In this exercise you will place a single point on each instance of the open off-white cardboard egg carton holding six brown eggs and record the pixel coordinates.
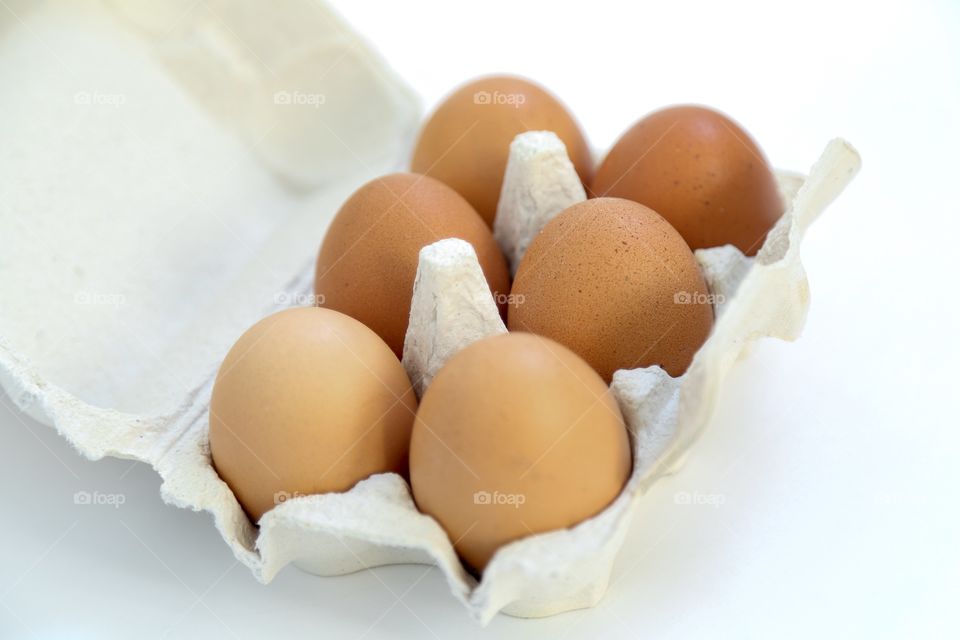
(155, 410)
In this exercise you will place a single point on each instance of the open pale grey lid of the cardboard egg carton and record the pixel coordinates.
(170, 186)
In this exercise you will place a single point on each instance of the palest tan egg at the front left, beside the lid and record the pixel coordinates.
(308, 401)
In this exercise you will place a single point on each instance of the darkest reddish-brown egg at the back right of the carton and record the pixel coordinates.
(701, 171)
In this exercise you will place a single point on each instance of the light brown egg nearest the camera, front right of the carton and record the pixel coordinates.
(516, 435)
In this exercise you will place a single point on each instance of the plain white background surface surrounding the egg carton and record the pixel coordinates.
(831, 463)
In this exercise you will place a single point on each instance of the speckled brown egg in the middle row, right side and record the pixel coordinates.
(614, 282)
